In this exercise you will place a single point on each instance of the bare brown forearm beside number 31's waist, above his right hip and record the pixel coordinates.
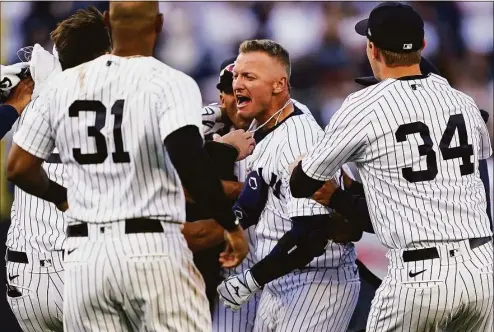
(203, 234)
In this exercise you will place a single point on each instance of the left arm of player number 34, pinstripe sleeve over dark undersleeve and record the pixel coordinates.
(344, 140)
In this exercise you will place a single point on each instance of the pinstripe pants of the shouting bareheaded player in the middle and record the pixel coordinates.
(309, 300)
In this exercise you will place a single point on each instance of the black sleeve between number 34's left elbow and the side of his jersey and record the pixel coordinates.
(352, 207)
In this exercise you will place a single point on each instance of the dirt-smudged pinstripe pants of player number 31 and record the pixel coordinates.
(117, 282)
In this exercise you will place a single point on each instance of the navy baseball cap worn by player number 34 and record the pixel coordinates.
(394, 27)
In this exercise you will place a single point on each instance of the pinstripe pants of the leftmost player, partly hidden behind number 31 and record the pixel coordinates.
(35, 290)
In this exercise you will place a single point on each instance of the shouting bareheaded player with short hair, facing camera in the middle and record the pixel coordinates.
(306, 299)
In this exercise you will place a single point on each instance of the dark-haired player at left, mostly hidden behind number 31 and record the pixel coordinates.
(37, 233)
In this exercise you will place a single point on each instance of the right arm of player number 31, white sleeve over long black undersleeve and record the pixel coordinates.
(180, 126)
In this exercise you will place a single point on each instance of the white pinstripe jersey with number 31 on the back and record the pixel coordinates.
(109, 118)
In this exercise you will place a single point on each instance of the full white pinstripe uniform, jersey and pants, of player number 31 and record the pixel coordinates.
(112, 146)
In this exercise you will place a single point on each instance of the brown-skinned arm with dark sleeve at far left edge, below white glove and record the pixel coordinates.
(18, 99)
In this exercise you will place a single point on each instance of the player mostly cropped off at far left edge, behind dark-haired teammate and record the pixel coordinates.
(15, 91)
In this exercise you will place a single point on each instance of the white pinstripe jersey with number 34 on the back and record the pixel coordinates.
(416, 142)
